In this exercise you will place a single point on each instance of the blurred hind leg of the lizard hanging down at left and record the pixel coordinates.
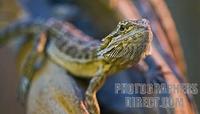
(33, 62)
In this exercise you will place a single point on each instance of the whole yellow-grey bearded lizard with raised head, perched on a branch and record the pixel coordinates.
(122, 48)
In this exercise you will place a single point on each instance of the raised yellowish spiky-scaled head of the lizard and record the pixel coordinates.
(129, 42)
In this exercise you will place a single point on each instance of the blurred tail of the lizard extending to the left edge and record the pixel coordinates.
(19, 29)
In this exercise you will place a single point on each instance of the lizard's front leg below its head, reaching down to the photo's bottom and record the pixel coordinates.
(90, 96)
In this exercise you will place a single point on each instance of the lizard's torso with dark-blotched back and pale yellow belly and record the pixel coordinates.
(75, 53)
